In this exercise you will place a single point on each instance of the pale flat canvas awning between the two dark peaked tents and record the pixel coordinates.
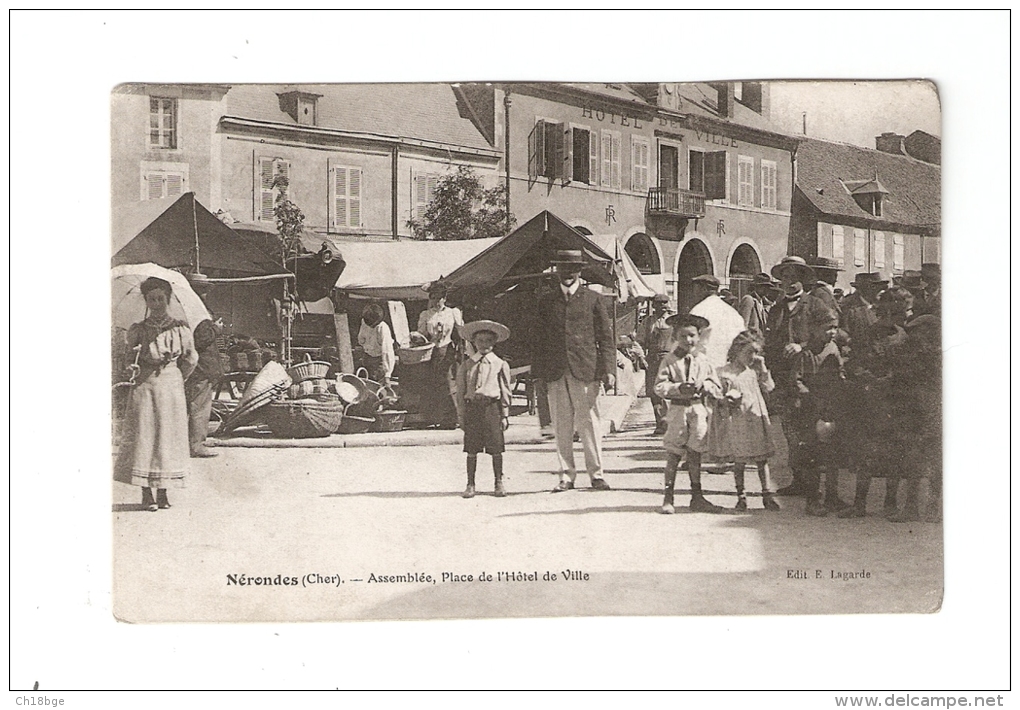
(398, 271)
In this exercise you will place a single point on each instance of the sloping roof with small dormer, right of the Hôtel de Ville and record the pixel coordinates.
(914, 187)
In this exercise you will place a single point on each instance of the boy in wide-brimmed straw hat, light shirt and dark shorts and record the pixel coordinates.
(484, 396)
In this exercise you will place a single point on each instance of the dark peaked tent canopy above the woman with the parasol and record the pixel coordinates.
(164, 232)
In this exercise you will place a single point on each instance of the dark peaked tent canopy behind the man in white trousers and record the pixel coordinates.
(527, 252)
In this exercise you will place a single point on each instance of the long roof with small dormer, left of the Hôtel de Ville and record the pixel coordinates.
(426, 112)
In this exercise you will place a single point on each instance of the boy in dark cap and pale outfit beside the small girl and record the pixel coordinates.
(687, 378)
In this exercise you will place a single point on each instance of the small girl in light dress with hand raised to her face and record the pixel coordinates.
(741, 424)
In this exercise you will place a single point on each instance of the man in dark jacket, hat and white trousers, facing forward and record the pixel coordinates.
(573, 352)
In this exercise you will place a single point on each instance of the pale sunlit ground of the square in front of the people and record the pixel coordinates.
(350, 514)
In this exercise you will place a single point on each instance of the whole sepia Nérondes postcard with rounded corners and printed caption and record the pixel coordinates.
(418, 351)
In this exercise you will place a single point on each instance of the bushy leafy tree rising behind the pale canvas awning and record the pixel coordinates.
(464, 209)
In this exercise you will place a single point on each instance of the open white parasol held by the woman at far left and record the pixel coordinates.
(129, 305)
